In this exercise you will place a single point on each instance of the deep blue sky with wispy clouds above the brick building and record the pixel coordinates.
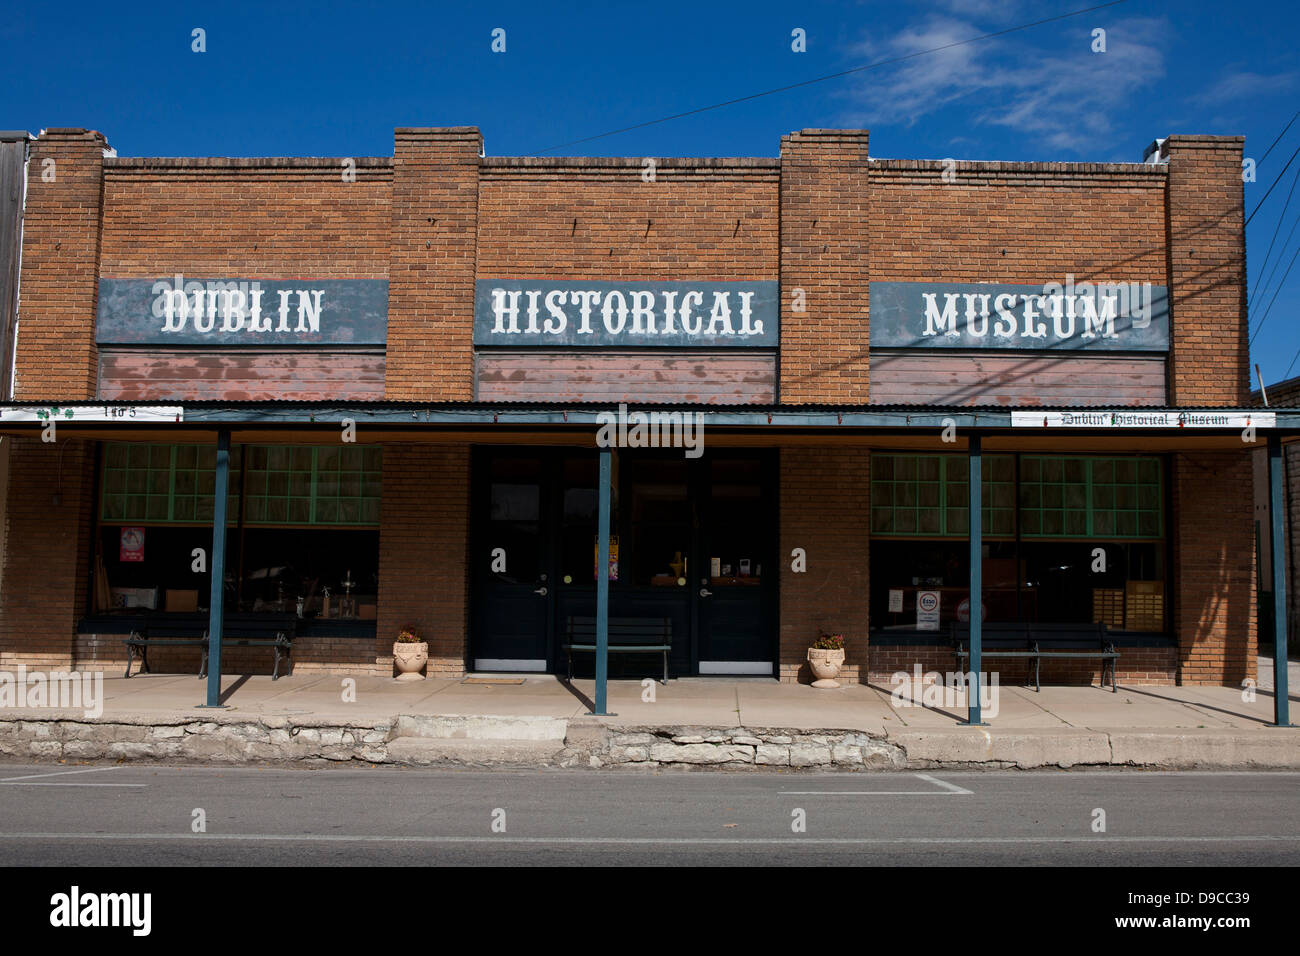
(336, 79)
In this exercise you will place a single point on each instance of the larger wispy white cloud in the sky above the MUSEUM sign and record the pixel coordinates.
(1033, 84)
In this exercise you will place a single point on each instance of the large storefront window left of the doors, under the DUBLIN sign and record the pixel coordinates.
(305, 534)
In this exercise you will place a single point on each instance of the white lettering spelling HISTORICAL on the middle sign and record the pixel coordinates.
(727, 314)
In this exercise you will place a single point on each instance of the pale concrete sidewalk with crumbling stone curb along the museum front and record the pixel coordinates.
(540, 720)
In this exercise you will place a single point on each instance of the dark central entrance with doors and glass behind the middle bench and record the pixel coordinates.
(695, 543)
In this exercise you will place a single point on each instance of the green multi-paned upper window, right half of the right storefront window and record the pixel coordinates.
(1091, 498)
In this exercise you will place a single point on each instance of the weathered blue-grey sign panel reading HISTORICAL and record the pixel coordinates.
(553, 314)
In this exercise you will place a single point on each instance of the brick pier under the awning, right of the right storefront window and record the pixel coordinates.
(1212, 582)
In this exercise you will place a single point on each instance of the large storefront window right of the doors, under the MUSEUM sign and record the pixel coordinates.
(1090, 547)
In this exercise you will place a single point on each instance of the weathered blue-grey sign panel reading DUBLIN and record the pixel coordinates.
(242, 312)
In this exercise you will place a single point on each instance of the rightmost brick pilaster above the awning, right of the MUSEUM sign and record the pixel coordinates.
(1207, 270)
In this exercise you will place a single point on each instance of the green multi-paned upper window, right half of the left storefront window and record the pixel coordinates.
(302, 486)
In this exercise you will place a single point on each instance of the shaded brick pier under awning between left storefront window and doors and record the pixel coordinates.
(424, 544)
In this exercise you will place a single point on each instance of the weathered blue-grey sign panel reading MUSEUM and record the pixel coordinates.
(1085, 317)
